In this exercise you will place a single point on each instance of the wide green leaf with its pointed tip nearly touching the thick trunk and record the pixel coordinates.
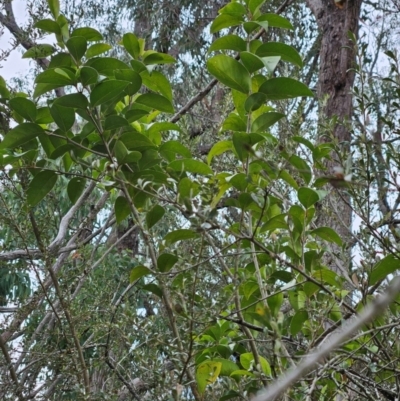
(284, 88)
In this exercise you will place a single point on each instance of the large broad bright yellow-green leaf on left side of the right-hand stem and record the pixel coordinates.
(230, 72)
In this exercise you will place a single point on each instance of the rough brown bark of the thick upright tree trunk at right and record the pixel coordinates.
(335, 81)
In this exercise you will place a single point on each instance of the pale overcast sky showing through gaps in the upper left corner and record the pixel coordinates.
(14, 66)
